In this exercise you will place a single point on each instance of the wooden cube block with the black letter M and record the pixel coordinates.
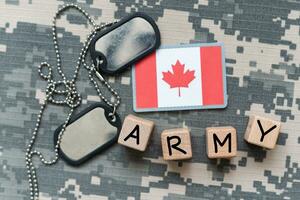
(221, 142)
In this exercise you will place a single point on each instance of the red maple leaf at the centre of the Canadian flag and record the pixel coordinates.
(179, 78)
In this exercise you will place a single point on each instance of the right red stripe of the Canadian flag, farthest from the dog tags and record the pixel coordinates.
(212, 76)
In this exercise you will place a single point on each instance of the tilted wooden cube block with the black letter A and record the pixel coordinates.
(135, 132)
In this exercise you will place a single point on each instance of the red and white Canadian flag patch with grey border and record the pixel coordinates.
(180, 78)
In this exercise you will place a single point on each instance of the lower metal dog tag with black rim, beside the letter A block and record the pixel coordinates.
(88, 133)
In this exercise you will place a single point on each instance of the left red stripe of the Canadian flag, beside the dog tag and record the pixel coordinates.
(146, 83)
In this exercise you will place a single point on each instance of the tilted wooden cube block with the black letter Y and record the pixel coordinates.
(262, 131)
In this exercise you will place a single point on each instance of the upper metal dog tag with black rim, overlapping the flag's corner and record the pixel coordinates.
(124, 43)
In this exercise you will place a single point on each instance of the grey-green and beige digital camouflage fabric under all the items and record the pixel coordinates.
(262, 44)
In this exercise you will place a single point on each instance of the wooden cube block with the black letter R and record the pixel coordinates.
(176, 144)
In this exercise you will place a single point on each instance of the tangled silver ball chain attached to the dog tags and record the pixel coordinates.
(72, 98)
